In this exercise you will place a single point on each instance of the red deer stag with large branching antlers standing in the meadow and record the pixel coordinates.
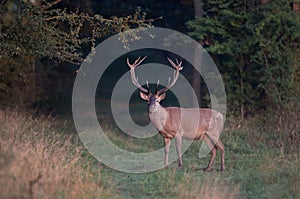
(176, 122)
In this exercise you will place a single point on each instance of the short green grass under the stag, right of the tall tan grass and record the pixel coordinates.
(253, 171)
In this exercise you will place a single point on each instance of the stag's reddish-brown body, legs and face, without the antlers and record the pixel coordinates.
(189, 123)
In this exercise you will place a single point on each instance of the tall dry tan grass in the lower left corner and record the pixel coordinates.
(38, 161)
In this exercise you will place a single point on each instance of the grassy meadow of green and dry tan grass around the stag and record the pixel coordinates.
(44, 158)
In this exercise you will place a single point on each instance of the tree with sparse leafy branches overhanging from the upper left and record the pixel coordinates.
(30, 32)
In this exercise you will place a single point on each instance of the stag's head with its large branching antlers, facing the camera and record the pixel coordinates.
(153, 99)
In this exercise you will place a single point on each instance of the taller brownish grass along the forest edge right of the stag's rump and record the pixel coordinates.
(278, 130)
